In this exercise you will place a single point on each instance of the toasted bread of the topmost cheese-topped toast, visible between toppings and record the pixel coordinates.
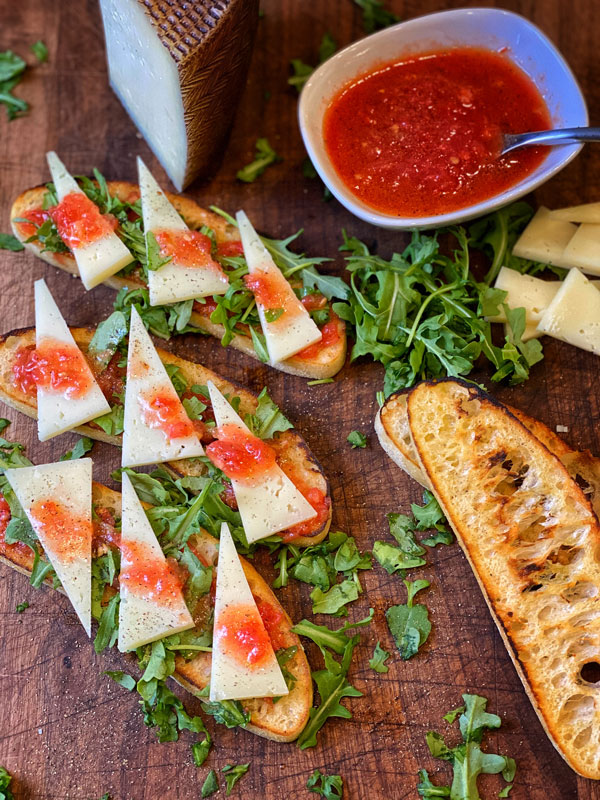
(325, 364)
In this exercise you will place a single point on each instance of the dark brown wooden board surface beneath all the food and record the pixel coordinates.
(66, 730)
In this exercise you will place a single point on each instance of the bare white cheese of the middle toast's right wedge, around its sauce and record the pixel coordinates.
(273, 503)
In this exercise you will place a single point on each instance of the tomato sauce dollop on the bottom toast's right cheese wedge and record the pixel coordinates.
(243, 636)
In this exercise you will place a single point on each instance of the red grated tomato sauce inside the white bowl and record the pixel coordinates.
(421, 136)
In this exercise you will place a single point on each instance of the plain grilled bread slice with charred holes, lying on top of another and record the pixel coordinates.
(533, 541)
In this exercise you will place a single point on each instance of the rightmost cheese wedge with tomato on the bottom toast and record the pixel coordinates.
(243, 661)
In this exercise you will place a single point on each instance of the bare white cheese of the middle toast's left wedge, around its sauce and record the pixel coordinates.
(57, 412)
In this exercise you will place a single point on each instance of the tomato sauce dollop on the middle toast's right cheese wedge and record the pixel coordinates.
(240, 455)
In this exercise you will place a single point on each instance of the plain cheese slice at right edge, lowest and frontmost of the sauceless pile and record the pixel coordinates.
(574, 314)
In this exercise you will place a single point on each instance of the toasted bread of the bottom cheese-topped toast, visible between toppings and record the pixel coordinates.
(282, 721)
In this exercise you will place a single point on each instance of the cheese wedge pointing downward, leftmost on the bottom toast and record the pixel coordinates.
(69, 484)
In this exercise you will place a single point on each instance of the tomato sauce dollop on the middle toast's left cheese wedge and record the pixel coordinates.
(52, 366)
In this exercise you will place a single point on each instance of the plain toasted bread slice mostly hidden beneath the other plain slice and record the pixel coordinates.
(393, 431)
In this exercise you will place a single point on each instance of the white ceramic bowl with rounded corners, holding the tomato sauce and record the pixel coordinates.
(489, 28)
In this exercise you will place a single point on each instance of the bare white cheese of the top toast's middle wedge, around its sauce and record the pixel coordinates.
(174, 282)
